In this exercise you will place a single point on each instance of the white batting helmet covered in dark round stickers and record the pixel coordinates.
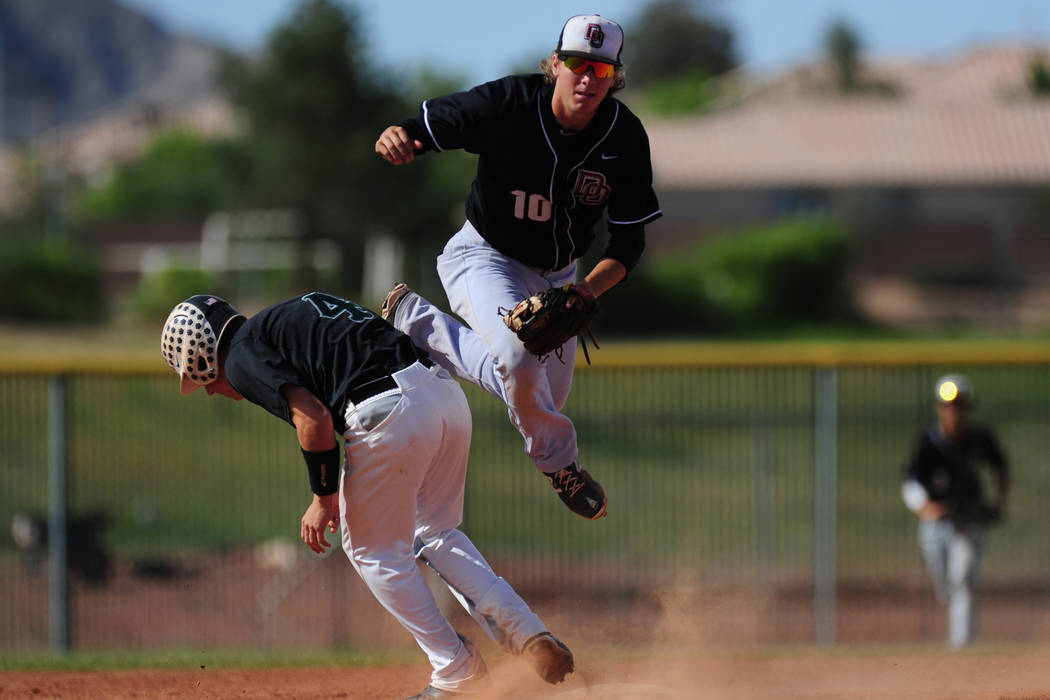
(191, 338)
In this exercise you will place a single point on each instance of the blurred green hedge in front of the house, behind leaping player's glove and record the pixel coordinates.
(788, 274)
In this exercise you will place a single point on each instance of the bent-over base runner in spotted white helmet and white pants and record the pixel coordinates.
(327, 366)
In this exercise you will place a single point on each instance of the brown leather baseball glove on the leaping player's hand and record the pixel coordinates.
(548, 321)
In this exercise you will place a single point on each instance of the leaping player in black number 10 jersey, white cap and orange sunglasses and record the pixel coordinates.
(557, 154)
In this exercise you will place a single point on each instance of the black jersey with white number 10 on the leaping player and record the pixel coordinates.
(541, 190)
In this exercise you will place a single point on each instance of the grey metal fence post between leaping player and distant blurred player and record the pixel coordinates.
(826, 439)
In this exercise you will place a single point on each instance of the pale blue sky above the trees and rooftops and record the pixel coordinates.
(482, 39)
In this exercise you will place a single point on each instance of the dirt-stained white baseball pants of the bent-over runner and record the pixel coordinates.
(402, 497)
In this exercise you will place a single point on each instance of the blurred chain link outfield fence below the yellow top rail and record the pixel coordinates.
(750, 503)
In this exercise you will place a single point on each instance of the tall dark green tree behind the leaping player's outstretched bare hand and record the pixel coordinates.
(313, 110)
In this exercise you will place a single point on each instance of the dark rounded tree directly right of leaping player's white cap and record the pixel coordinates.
(671, 39)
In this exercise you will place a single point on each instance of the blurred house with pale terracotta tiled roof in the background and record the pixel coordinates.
(943, 180)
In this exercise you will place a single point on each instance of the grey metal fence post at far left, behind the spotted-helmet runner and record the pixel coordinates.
(58, 516)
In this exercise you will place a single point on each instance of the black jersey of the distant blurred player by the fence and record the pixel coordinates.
(950, 471)
